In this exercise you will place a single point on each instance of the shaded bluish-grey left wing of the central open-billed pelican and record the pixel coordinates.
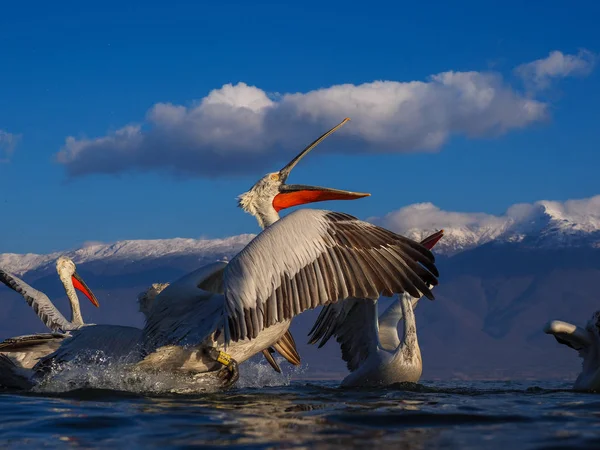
(188, 310)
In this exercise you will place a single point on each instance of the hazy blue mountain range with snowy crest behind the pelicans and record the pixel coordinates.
(502, 278)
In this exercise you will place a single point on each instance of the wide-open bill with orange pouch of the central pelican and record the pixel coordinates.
(299, 194)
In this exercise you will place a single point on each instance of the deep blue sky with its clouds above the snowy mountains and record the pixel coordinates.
(87, 71)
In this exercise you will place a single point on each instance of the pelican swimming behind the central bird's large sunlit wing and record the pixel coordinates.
(370, 345)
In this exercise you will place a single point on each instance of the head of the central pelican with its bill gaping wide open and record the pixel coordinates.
(271, 194)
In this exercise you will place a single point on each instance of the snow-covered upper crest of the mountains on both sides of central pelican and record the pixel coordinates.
(543, 224)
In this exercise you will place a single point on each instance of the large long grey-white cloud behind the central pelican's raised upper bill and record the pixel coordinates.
(239, 128)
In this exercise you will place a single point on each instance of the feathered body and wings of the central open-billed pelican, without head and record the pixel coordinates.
(328, 257)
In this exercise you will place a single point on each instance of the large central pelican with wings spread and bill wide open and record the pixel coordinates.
(307, 259)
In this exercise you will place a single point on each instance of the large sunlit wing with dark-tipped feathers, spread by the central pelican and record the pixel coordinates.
(315, 257)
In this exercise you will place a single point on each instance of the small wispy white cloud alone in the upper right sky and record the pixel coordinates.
(540, 73)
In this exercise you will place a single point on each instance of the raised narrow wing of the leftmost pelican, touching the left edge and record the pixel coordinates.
(39, 301)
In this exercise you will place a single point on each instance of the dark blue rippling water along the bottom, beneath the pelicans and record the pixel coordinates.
(302, 414)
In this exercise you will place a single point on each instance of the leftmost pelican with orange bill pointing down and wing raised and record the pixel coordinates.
(26, 350)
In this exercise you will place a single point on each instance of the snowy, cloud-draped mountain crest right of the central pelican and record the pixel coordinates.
(465, 230)
